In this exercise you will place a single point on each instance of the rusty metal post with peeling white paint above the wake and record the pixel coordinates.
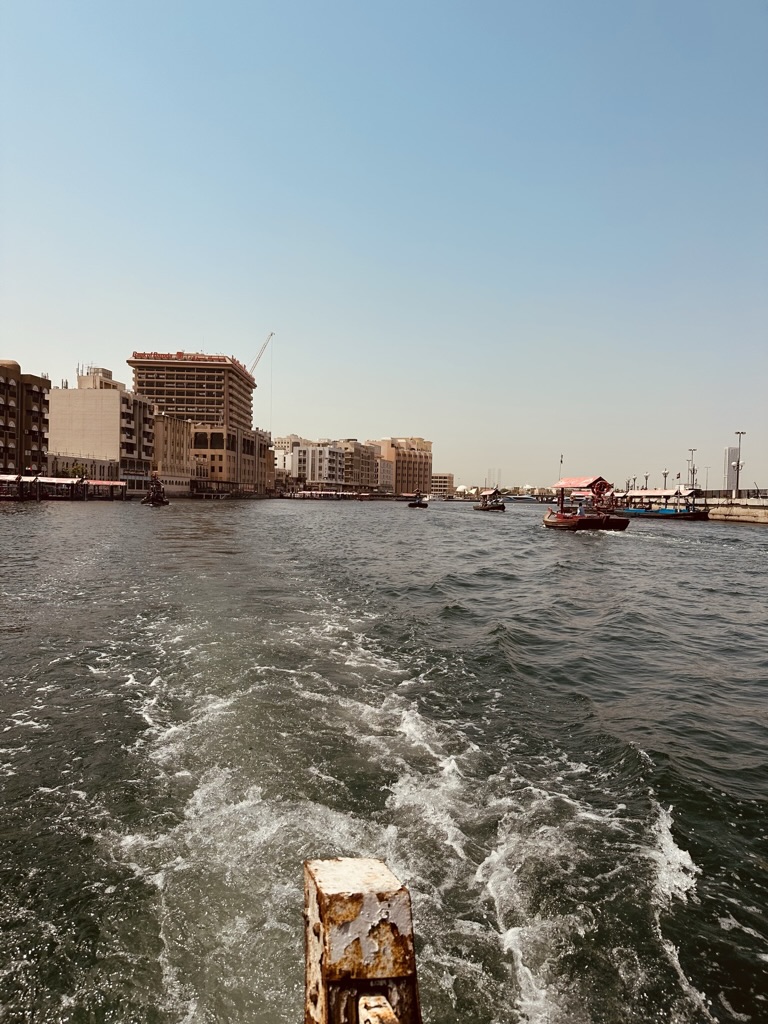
(359, 943)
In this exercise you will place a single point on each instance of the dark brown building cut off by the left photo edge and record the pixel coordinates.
(24, 420)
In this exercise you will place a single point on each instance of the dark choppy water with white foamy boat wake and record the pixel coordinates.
(559, 743)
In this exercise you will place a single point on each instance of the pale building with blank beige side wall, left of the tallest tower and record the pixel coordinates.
(102, 422)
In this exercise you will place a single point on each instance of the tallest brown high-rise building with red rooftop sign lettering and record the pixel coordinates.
(216, 395)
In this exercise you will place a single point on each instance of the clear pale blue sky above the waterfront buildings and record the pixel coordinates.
(520, 230)
